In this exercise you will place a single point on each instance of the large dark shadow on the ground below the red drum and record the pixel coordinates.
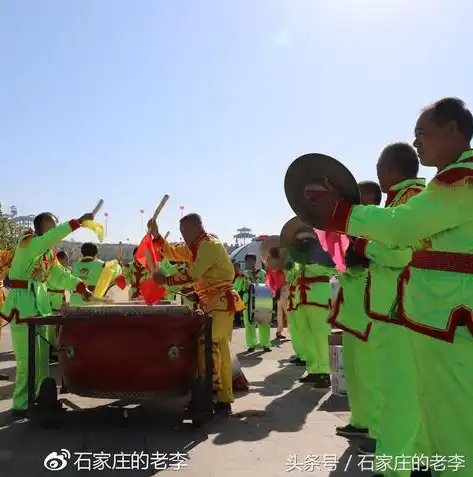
(100, 439)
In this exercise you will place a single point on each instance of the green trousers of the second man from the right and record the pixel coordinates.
(400, 427)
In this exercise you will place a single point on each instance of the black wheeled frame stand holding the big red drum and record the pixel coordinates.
(48, 408)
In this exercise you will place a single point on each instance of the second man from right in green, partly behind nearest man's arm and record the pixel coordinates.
(390, 378)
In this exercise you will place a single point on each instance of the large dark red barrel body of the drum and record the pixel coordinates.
(109, 351)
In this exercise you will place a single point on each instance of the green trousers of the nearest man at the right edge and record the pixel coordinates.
(446, 393)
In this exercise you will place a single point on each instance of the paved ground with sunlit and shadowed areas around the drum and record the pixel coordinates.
(277, 419)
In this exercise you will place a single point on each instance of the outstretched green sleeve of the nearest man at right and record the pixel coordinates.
(437, 209)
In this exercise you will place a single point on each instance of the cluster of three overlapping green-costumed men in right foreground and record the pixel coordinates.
(406, 312)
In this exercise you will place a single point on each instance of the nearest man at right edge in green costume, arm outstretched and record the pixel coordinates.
(434, 299)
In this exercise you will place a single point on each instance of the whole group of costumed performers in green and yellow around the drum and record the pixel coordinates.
(404, 303)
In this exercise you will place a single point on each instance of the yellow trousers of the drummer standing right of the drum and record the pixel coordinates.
(222, 329)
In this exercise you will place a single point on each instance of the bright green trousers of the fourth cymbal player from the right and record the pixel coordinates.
(314, 331)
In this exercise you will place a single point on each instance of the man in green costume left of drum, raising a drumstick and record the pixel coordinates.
(33, 264)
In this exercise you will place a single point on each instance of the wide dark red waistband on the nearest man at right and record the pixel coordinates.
(443, 261)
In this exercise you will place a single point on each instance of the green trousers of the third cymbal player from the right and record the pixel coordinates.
(362, 383)
